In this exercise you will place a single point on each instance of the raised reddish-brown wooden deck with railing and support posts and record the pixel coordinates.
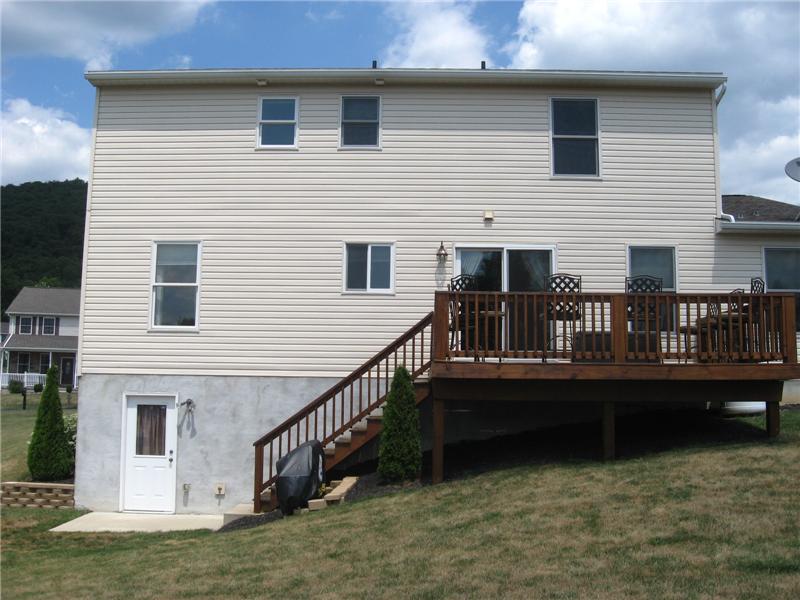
(610, 348)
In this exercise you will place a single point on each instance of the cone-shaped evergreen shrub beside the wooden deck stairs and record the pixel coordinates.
(400, 453)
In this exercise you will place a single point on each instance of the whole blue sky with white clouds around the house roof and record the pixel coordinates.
(47, 46)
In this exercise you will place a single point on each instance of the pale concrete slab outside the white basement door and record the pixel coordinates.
(100, 521)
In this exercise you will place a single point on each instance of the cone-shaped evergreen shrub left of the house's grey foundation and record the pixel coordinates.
(49, 455)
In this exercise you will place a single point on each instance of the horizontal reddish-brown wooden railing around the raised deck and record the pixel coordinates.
(616, 328)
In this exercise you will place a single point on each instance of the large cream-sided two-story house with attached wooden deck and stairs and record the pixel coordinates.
(253, 236)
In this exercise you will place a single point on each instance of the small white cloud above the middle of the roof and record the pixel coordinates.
(438, 34)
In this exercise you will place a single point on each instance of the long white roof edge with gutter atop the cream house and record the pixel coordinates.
(264, 77)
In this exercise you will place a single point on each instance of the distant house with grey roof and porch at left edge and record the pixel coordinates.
(43, 331)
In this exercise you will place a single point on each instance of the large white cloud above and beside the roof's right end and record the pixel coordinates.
(757, 44)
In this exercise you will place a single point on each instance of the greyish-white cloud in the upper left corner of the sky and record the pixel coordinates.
(91, 31)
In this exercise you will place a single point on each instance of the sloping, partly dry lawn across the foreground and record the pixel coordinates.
(713, 519)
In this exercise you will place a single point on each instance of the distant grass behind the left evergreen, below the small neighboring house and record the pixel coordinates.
(16, 426)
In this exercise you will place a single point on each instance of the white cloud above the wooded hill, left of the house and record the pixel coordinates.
(41, 143)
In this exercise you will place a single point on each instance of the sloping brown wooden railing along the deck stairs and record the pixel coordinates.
(336, 410)
